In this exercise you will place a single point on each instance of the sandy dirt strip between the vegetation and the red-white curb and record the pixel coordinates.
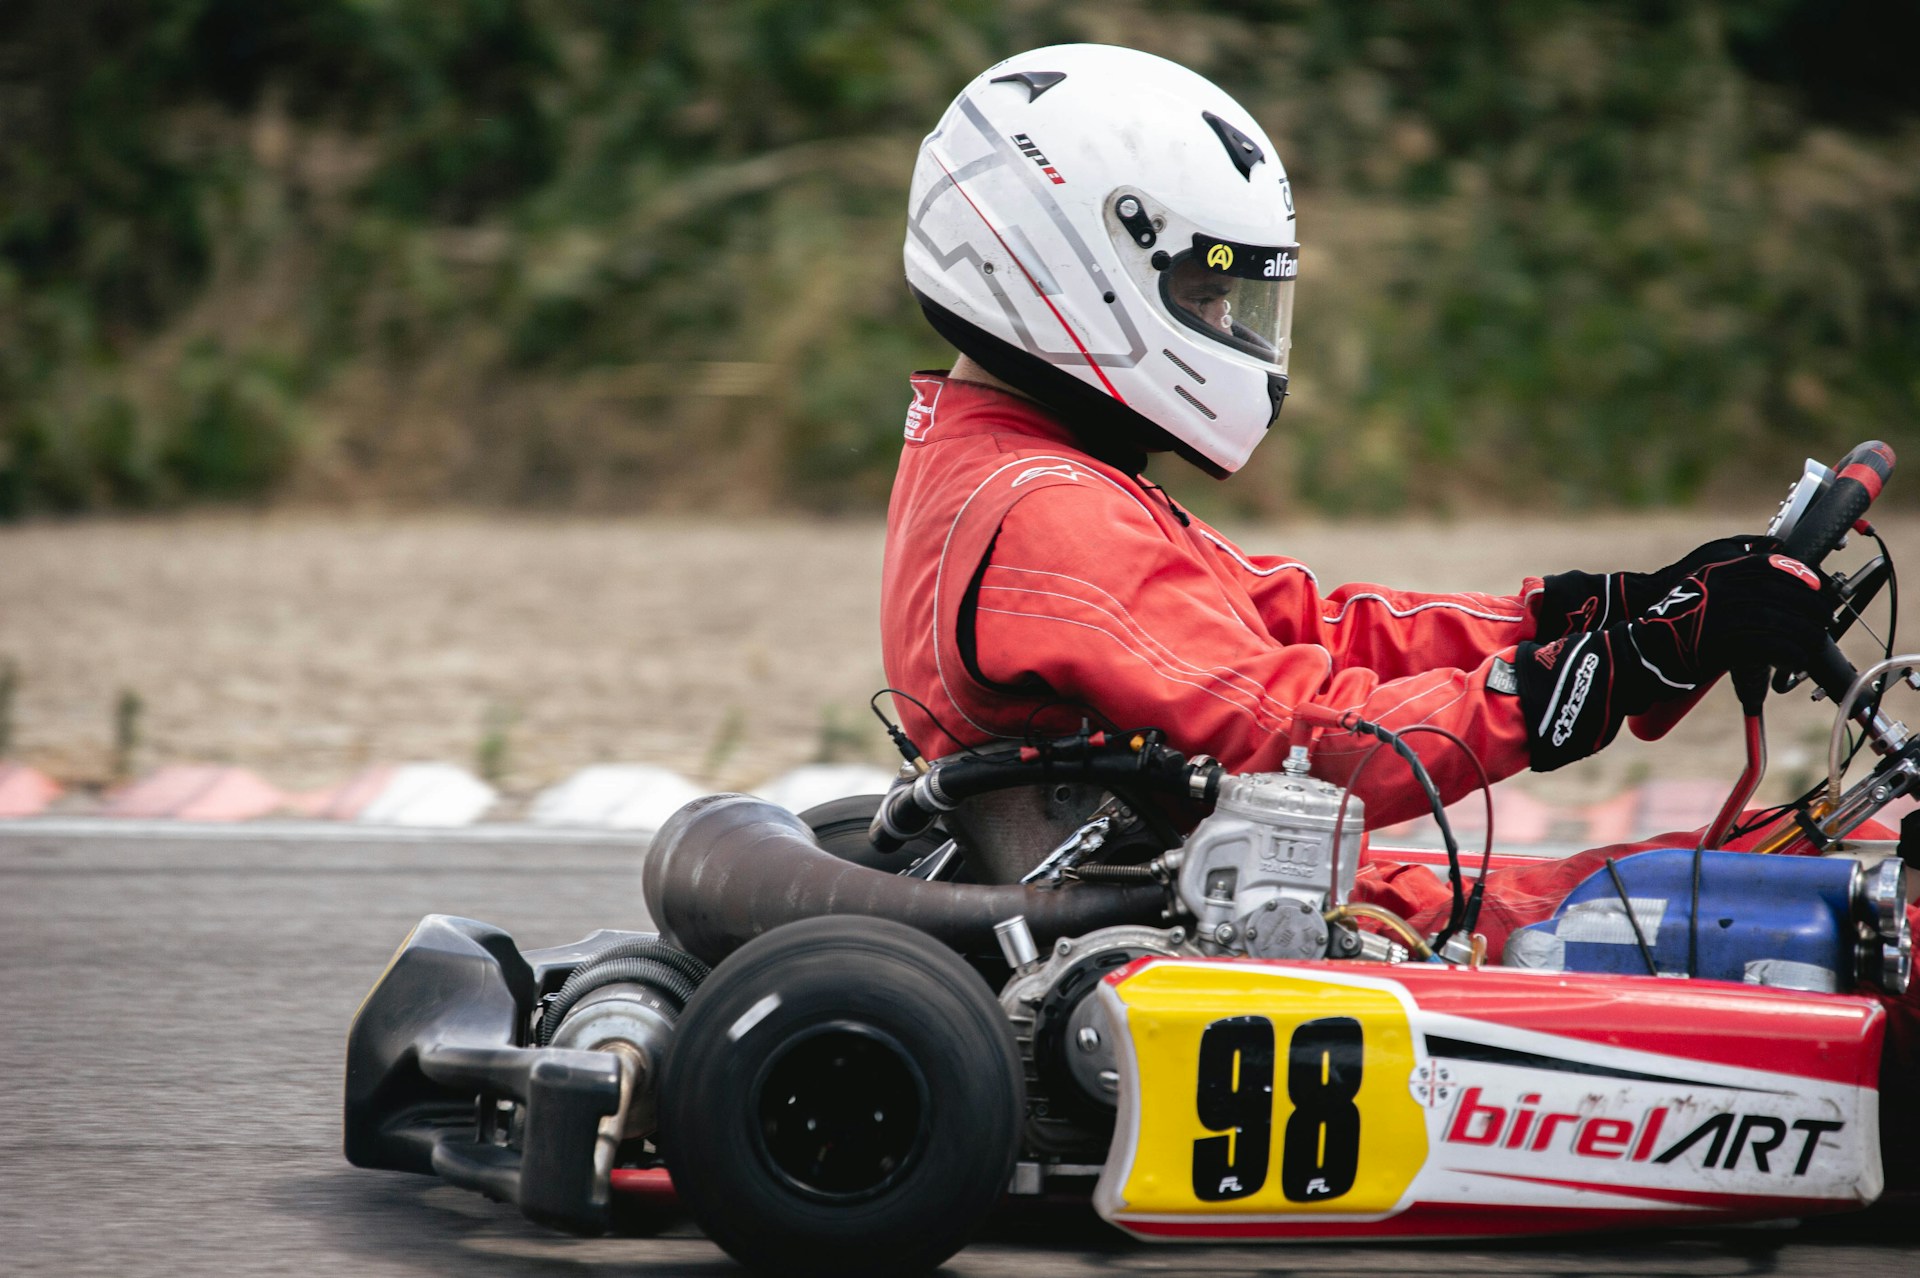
(306, 646)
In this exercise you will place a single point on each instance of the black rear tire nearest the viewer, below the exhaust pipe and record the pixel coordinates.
(844, 1097)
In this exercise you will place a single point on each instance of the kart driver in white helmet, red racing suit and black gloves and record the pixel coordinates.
(1109, 241)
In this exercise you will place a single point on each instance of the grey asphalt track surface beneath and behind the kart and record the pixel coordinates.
(170, 1083)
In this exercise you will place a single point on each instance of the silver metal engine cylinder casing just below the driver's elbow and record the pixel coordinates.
(1260, 870)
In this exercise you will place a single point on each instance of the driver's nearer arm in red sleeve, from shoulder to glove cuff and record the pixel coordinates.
(1141, 627)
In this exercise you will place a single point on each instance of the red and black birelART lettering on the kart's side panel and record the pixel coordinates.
(1725, 1139)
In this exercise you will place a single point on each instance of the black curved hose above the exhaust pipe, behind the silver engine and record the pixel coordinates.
(1138, 761)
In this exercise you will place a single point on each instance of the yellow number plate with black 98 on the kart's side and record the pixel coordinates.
(1266, 1091)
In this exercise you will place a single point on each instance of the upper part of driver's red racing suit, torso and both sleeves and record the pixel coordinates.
(1024, 575)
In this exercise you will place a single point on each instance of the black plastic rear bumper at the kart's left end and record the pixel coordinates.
(433, 1053)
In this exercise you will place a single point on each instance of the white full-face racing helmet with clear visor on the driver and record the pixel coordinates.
(1113, 235)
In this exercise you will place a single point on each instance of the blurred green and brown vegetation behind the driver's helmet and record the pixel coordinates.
(636, 254)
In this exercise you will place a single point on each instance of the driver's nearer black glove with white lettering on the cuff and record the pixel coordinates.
(1748, 611)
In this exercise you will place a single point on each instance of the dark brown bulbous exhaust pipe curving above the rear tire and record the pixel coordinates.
(729, 868)
